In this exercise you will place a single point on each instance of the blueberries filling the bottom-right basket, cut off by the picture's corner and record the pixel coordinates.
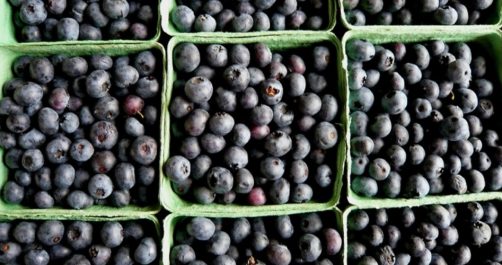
(460, 234)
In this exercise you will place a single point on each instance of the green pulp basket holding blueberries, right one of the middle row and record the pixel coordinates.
(489, 39)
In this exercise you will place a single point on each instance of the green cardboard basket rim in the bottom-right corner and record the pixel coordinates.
(376, 206)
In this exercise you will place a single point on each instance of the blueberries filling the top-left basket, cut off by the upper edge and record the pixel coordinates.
(65, 20)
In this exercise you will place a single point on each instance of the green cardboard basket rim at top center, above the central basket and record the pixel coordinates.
(166, 6)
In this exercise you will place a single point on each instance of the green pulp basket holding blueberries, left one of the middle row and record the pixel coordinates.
(10, 53)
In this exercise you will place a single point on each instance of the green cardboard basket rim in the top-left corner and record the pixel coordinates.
(8, 31)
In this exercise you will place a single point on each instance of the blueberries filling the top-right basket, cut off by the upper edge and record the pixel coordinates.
(418, 12)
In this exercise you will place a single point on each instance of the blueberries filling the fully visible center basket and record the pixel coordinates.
(252, 126)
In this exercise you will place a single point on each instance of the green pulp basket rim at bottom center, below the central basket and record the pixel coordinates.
(171, 220)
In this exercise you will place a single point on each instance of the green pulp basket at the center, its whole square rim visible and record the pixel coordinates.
(172, 202)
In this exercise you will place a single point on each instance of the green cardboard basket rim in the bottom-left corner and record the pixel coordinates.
(153, 223)
